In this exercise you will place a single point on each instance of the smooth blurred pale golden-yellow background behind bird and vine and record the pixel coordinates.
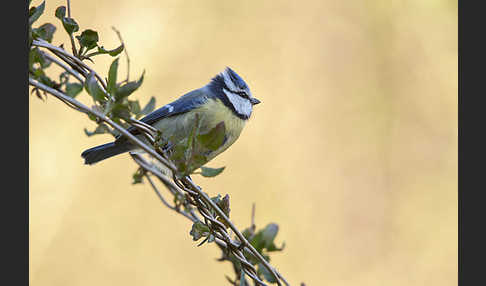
(353, 151)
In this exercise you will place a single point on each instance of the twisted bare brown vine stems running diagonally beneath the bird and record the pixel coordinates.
(190, 197)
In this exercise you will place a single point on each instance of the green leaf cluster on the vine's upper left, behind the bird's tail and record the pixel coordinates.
(111, 98)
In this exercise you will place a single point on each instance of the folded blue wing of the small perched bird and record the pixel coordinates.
(183, 104)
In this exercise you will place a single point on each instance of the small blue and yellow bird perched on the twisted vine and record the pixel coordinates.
(226, 98)
